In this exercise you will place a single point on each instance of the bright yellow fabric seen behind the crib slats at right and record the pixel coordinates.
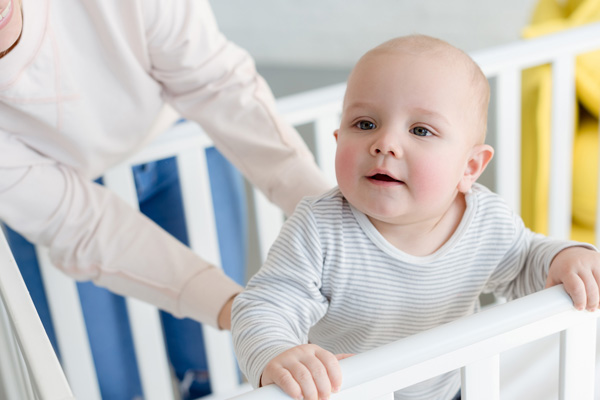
(552, 16)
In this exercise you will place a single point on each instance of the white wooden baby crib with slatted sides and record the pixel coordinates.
(480, 344)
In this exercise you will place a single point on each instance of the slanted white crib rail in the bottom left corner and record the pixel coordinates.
(43, 369)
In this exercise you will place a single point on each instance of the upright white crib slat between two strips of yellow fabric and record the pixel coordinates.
(561, 150)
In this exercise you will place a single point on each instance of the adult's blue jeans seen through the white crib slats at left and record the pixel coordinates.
(105, 313)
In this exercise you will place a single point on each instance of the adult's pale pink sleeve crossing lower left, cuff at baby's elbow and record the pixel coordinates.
(94, 235)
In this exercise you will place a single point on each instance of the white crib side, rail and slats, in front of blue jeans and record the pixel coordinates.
(187, 143)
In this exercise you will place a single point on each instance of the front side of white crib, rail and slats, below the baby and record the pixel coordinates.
(473, 344)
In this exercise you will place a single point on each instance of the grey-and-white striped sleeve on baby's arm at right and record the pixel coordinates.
(524, 268)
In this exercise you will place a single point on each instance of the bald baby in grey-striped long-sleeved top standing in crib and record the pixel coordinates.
(408, 241)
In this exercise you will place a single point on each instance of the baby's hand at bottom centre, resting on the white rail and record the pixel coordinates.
(306, 371)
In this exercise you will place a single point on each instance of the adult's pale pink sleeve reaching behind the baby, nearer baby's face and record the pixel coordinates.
(213, 82)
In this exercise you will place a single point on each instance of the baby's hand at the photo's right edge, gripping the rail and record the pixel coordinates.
(578, 268)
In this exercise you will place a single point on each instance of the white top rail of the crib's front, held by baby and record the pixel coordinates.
(451, 346)
